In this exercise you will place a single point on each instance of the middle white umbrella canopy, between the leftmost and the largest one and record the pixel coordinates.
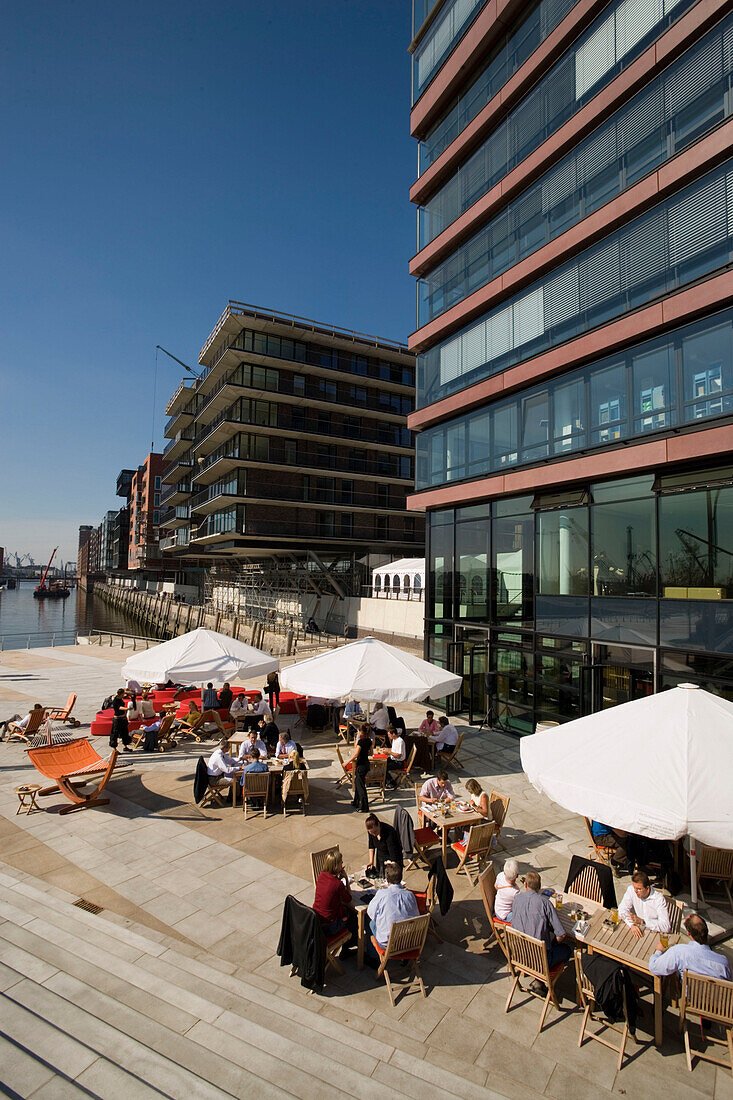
(373, 673)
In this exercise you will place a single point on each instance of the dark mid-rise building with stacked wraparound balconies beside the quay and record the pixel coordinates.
(292, 444)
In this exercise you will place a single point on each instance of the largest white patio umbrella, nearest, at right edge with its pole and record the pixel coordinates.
(661, 767)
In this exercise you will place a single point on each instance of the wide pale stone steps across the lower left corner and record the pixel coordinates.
(95, 1006)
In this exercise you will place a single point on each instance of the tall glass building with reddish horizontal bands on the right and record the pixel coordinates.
(575, 349)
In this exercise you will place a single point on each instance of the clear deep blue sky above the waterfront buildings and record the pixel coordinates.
(160, 159)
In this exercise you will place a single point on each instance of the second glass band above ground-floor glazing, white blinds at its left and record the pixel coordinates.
(675, 244)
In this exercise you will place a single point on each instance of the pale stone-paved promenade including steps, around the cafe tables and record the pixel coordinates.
(174, 988)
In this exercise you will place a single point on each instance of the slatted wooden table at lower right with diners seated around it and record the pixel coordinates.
(618, 942)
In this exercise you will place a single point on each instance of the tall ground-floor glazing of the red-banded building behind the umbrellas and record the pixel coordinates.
(554, 606)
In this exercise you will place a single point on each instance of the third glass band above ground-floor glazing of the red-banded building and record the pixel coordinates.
(688, 101)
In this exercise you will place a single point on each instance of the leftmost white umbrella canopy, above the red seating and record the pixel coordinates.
(199, 657)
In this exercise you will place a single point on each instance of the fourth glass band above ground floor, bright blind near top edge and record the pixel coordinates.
(619, 36)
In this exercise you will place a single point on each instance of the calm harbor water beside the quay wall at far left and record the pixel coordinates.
(28, 622)
